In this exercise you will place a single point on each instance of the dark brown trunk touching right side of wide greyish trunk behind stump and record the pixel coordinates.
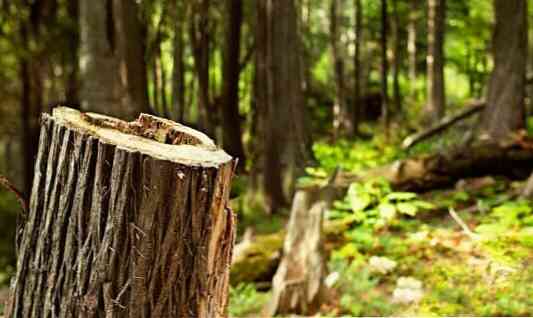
(130, 35)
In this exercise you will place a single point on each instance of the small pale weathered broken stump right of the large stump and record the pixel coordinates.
(297, 286)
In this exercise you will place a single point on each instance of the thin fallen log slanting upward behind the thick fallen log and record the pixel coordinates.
(445, 123)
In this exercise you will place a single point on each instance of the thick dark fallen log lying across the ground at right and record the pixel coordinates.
(512, 158)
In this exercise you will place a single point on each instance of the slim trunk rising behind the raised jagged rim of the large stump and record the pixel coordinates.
(178, 70)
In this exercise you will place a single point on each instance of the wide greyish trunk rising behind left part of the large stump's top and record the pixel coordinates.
(100, 86)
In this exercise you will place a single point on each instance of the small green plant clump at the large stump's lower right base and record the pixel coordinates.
(246, 300)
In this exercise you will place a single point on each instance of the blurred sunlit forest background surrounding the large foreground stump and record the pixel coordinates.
(414, 113)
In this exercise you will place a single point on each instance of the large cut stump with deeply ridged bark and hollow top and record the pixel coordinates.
(125, 220)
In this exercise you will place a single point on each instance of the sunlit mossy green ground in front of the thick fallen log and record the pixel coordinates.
(430, 263)
